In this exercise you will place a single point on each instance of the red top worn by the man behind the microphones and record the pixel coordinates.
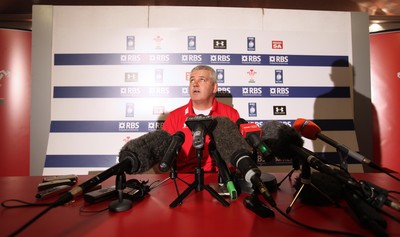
(186, 160)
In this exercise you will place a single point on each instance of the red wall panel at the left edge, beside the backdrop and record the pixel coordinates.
(15, 70)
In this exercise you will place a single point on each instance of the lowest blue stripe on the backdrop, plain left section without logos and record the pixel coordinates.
(64, 161)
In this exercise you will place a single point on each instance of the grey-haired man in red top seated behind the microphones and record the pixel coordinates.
(202, 88)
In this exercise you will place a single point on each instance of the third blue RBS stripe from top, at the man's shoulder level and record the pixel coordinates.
(146, 125)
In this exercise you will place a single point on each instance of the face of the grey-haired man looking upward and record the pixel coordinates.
(201, 86)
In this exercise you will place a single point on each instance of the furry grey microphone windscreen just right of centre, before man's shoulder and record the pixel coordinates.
(228, 139)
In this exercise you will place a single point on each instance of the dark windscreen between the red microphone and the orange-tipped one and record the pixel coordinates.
(279, 137)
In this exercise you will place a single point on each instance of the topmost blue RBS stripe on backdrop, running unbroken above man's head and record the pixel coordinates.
(212, 59)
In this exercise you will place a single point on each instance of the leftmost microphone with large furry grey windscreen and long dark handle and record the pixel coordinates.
(137, 155)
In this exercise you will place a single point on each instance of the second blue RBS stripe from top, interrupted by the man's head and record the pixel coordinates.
(182, 91)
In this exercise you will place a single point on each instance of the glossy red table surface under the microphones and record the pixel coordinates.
(200, 214)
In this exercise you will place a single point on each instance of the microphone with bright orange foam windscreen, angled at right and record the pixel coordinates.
(310, 130)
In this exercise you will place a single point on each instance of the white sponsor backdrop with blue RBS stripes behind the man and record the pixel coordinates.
(117, 72)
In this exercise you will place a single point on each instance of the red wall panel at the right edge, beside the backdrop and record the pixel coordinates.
(385, 96)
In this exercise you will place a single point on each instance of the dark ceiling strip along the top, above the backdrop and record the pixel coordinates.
(18, 13)
